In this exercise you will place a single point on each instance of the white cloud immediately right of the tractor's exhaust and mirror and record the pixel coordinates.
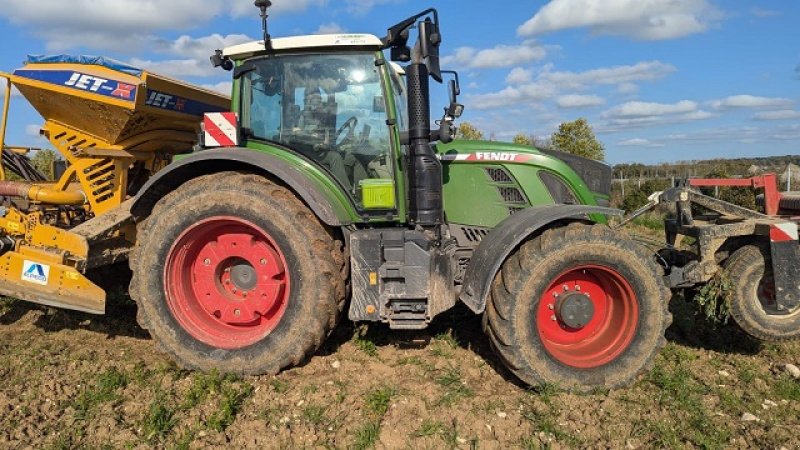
(496, 57)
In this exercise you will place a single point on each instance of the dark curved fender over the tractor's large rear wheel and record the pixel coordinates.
(324, 204)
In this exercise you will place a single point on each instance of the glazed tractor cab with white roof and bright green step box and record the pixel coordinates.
(333, 100)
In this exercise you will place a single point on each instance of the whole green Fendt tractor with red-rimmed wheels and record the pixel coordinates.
(328, 190)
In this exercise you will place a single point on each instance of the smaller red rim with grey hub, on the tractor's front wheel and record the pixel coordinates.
(605, 333)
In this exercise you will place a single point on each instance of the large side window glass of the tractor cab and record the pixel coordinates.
(328, 107)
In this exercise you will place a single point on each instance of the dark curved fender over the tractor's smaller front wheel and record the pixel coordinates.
(507, 236)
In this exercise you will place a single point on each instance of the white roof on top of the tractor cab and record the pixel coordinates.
(317, 41)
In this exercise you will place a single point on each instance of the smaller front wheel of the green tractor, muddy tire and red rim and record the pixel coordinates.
(527, 278)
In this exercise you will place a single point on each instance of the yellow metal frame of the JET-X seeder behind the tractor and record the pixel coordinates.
(95, 180)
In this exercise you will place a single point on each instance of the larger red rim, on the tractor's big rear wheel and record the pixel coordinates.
(226, 282)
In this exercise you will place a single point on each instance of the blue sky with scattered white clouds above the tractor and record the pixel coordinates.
(659, 80)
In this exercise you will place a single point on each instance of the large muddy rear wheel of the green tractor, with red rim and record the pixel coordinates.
(234, 273)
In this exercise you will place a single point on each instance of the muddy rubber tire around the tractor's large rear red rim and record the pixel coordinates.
(314, 262)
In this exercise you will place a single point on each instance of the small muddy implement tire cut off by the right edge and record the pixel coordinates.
(749, 306)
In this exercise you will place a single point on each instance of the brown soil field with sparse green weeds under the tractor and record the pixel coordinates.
(70, 380)
